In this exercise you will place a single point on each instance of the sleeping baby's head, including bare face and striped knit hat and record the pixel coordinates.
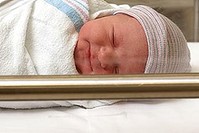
(138, 40)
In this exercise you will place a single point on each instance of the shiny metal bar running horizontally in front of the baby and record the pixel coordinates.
(99, 87)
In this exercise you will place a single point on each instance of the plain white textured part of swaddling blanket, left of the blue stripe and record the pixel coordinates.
(33, 42)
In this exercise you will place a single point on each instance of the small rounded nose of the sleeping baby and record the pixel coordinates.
(107, 57)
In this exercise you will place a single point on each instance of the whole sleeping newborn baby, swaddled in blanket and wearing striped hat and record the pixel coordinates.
(61, 37)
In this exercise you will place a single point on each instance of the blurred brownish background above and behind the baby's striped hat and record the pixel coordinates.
(185, 13)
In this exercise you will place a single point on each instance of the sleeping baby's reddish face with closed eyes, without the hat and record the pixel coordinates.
(111, 45)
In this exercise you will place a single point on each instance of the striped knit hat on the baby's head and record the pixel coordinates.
(167, 47)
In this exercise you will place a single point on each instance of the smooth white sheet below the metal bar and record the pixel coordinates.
(137, 116)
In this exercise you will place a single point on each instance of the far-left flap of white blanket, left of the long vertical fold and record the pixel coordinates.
(14, 56)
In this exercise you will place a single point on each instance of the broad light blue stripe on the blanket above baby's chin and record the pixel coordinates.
(69, 11)
